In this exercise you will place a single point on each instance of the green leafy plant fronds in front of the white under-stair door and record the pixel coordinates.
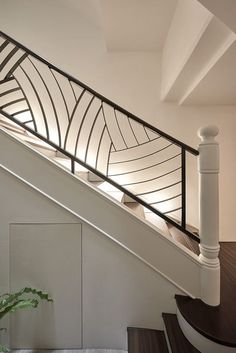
(25, 298)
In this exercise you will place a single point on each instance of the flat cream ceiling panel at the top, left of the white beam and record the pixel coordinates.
(136, 25)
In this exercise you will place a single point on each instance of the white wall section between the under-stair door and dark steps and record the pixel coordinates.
(119, 291)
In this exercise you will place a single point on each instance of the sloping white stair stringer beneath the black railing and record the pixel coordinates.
(145, 243)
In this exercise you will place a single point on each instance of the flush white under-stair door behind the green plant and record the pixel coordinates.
(48, 257)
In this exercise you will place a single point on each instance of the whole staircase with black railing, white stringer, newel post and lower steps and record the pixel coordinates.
(113, 155)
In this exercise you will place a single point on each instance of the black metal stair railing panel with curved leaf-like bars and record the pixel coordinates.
(142, 161)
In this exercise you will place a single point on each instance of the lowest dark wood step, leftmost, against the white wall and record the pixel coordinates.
(144, 340)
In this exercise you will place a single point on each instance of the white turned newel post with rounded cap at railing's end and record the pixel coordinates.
(209, 215)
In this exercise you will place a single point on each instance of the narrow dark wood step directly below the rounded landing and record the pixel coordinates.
(178, 342)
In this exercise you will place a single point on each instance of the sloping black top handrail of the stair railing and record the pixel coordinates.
(104, 99)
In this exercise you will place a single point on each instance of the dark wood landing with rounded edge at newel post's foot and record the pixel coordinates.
(217, 323)
